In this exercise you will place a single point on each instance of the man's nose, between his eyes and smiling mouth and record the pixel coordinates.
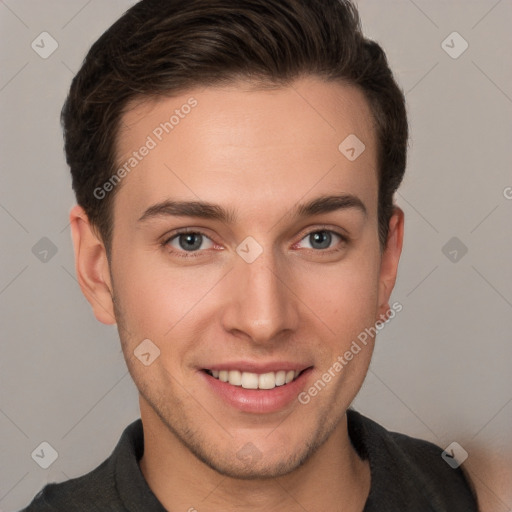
(260, 302)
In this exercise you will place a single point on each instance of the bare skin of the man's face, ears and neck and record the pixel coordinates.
(258, 153)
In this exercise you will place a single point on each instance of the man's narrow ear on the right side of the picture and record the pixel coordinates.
(389, 260)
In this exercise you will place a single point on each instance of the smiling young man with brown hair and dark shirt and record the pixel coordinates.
(234, 164)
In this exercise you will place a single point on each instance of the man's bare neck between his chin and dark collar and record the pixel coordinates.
(333, 478)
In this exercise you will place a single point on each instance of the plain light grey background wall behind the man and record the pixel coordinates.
(441, 369)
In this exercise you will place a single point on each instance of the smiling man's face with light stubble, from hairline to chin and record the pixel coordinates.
(246, 249)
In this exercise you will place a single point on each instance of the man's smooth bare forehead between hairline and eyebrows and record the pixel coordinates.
(252, 148)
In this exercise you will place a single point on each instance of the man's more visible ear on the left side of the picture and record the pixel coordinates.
(92, 267)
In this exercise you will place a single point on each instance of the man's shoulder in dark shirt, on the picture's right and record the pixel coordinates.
(409, 470)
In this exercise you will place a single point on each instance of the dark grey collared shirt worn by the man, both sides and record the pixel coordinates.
(407, 474)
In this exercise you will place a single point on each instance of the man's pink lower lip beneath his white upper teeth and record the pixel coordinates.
(260, 401)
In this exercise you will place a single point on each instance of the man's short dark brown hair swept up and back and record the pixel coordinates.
(164, 47)
